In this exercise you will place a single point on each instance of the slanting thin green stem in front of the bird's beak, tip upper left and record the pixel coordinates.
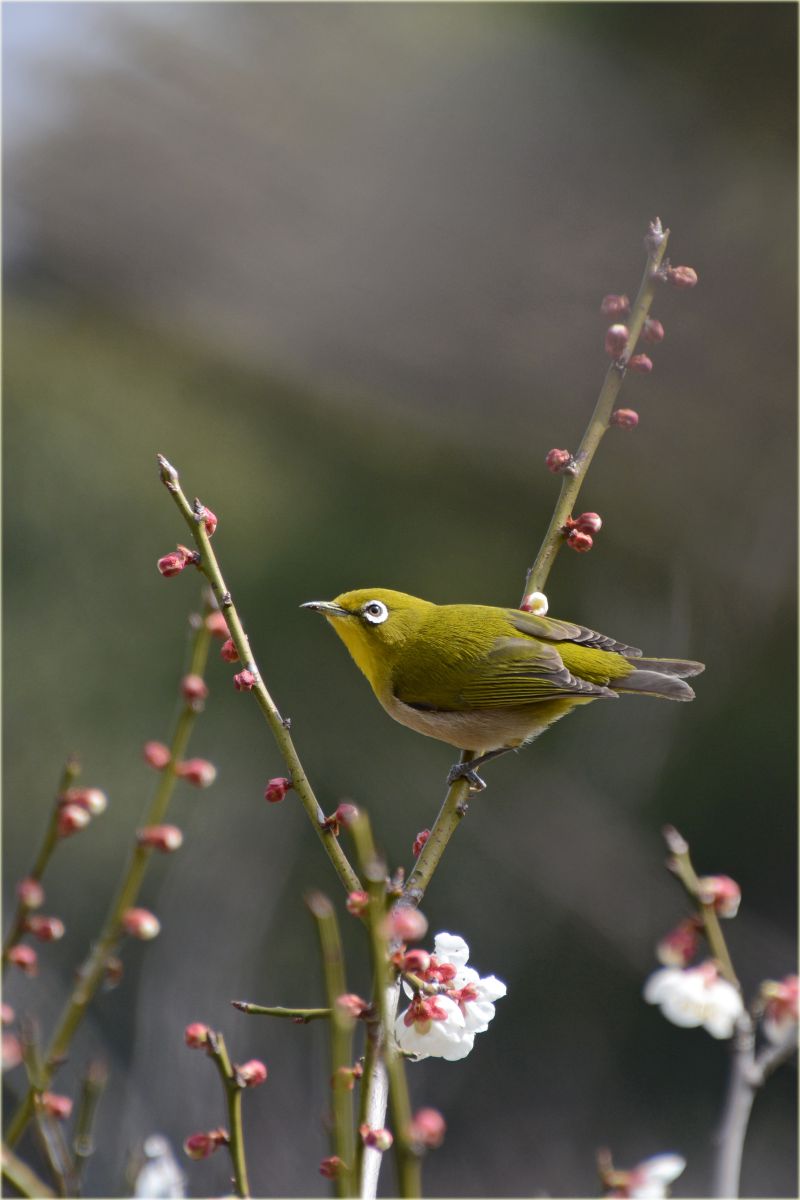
(279, 727)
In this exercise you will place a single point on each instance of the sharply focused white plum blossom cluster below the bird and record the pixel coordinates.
(446, 1025)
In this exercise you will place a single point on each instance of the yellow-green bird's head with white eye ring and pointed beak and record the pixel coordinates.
(376, 625)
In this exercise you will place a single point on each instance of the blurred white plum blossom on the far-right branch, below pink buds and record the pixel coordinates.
(696, 997)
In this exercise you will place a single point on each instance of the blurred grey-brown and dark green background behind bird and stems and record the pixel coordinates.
(342, 265)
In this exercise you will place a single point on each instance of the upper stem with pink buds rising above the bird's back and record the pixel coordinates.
(573, 481)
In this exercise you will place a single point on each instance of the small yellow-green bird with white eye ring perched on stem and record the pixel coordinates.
(488, 680)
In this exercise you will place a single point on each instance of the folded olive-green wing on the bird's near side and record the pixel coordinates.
(515, 673)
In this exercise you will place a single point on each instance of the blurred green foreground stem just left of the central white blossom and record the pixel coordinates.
(375, 872)
